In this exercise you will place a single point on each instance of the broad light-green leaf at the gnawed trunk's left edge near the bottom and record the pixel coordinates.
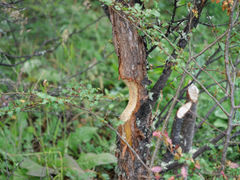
(90, 160)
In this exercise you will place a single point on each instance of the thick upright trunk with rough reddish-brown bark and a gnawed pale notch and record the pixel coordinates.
(131, 54)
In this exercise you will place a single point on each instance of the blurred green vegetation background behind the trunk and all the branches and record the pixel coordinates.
(59, 89)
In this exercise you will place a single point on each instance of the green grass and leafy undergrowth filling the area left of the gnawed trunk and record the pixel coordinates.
(52, 119)
